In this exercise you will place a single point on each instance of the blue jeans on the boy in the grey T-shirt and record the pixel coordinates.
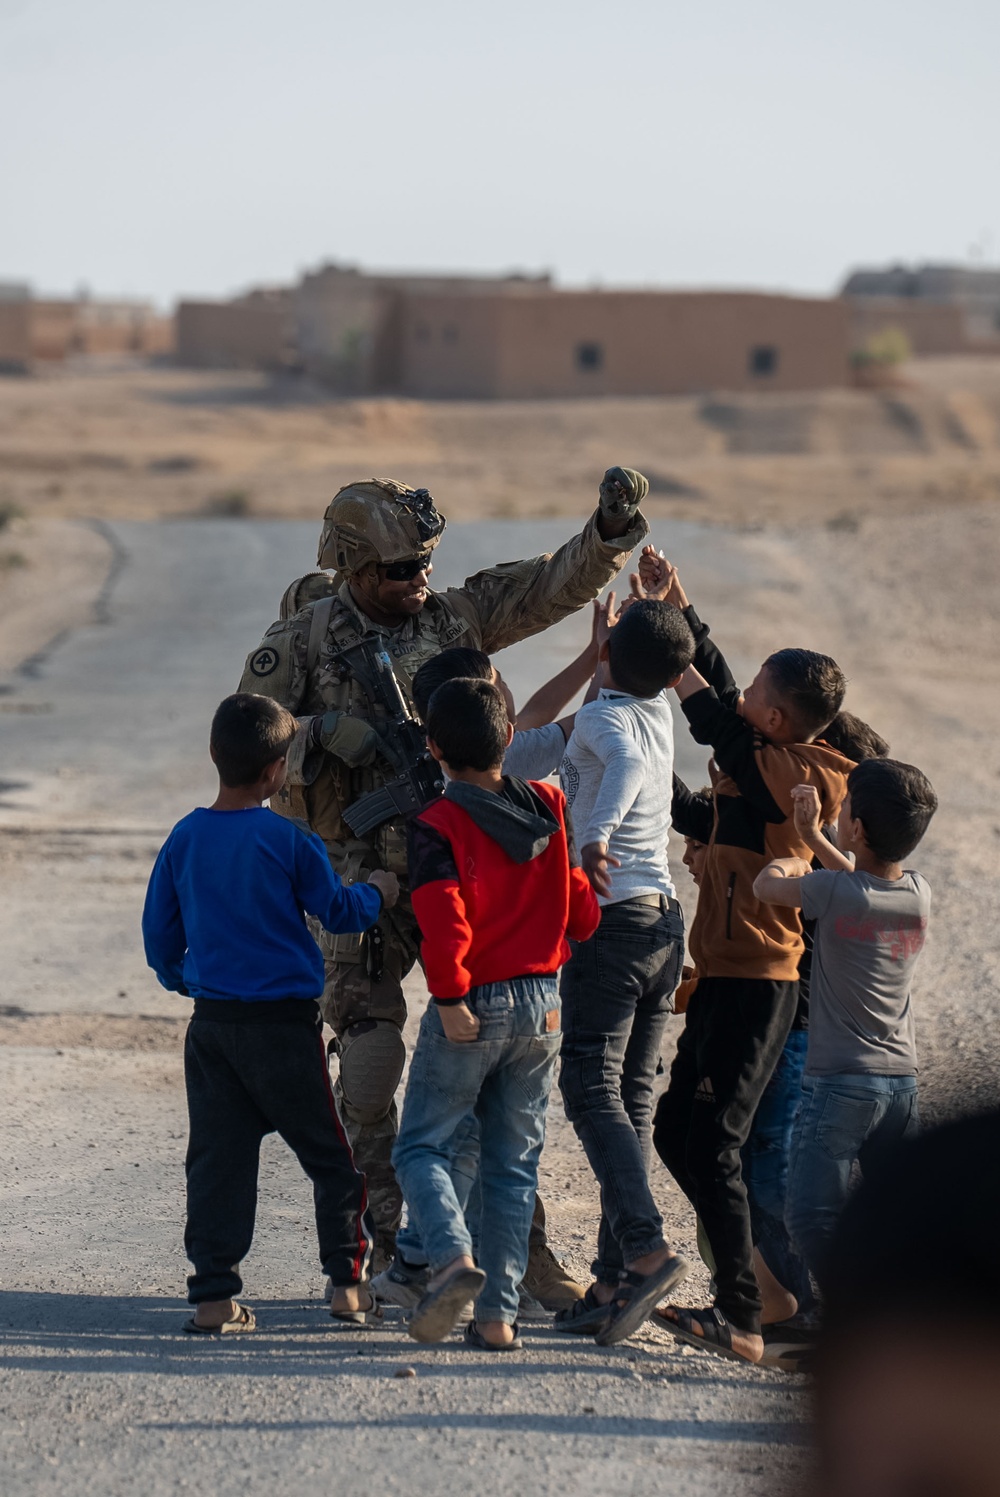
(844, 1119)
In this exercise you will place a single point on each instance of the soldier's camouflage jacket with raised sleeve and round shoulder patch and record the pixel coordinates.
(493, 610)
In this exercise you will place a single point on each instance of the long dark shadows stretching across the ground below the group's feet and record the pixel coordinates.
(104, 1335)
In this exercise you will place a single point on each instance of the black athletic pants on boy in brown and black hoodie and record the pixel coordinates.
(734, 1034)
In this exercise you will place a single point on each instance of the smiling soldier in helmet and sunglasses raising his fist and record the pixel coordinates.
(379, 537)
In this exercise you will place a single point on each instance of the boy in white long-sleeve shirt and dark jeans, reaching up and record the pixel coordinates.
(618, 989)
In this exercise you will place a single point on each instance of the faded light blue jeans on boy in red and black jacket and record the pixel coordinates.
(504, 1079)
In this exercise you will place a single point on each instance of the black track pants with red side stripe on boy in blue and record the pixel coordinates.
(257, 1070)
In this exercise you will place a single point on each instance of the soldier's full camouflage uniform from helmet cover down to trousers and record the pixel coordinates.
(296, 665)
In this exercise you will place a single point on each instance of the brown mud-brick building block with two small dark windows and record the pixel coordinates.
(567, 344)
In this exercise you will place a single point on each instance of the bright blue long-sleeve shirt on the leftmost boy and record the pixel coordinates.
(225, 911)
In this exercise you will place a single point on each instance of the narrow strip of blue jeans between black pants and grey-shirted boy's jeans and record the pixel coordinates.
(767, 1158)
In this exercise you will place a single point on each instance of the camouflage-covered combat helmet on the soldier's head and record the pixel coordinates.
(378, 520)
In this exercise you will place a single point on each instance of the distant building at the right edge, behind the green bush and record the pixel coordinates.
(942, 309)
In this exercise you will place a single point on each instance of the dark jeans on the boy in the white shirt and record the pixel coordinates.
(616, 1001)
